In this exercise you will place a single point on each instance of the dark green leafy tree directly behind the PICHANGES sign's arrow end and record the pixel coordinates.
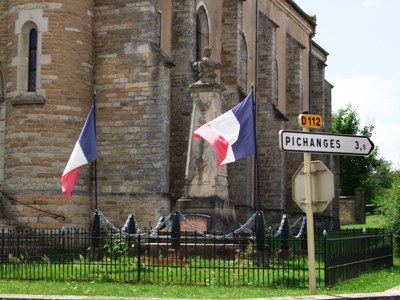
(359, 171)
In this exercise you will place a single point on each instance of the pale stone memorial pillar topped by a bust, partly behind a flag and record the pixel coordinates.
(206, 200)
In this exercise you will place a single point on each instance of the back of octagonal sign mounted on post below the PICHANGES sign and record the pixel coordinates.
(322, 186)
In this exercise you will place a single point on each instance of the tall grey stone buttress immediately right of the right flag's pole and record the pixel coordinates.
(270, 121)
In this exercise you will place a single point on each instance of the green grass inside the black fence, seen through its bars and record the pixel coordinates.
(291, 273)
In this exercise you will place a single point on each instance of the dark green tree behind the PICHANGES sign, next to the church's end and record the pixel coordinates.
(355, 171)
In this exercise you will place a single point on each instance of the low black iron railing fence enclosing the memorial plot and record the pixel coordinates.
(190, 258)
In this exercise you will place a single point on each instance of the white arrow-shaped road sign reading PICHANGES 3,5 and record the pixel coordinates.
(299, 141)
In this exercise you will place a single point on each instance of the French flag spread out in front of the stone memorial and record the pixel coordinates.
(232, 134)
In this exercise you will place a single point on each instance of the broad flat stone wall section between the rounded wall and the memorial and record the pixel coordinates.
(132, 79)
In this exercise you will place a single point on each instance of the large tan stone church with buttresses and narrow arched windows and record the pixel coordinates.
(138, 56)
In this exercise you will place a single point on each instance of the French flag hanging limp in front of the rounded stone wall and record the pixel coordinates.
(83, 153)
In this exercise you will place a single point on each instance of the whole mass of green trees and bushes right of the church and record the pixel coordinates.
(381, 183)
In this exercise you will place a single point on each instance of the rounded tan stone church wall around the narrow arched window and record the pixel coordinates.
(40, 135)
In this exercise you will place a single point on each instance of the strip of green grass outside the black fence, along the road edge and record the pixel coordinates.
(374, 282)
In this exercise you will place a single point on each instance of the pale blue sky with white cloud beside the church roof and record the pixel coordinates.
(363, 41)
